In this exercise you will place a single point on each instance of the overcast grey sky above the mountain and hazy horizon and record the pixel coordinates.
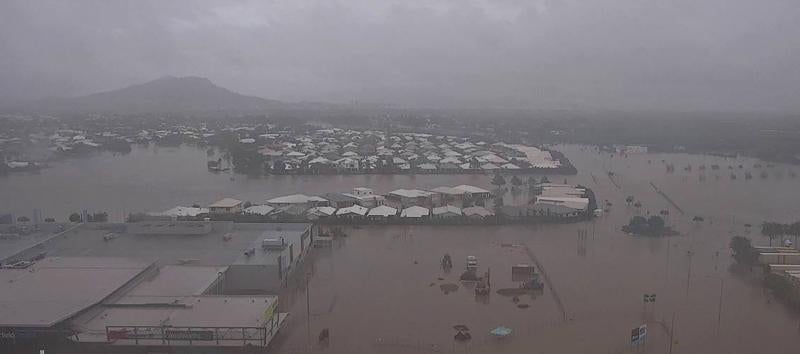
(710, 55)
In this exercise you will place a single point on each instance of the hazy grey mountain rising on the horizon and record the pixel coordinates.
(168, 94)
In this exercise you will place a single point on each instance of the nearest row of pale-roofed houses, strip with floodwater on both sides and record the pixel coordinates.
(362, 204)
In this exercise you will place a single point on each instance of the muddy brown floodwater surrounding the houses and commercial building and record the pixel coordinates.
(381, 289)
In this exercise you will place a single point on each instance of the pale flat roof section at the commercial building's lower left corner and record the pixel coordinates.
(55, 289)
